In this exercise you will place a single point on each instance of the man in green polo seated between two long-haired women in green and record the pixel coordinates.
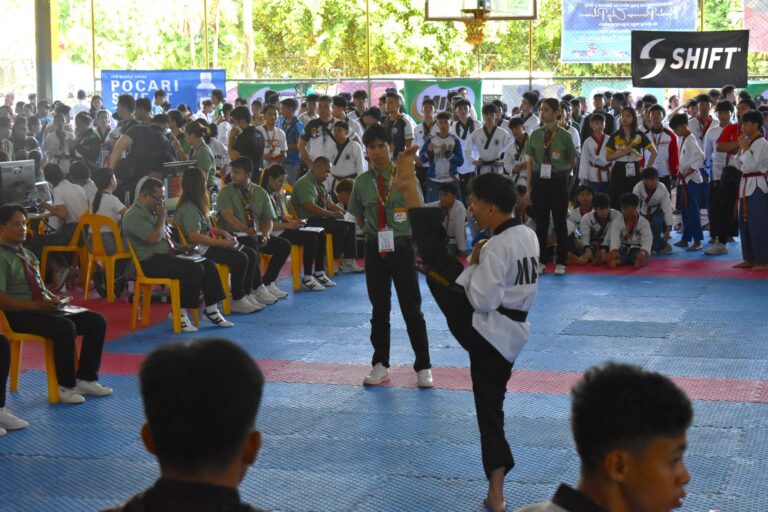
(245, 210)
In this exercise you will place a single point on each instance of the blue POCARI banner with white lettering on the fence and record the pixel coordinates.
(189, 86)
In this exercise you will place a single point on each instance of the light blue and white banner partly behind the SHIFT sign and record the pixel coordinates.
(600, 31)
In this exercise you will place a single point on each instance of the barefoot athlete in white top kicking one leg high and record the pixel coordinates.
(486, 306)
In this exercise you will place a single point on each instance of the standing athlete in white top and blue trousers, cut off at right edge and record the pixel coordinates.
(753, 194)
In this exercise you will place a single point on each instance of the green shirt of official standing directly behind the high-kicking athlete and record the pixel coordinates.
(365, 202)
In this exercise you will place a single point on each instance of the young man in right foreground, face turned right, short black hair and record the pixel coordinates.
(629, 426)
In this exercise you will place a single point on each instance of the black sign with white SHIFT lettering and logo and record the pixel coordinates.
(689, 59)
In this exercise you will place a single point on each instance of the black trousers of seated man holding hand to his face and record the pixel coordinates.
(193, 277)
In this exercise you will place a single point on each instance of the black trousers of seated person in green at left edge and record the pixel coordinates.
(63, 330)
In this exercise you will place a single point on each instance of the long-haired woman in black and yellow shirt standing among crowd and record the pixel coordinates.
(626, 148)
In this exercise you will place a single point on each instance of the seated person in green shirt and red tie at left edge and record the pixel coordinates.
(31, 308)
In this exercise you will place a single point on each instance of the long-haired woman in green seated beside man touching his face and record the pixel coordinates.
(216, 244)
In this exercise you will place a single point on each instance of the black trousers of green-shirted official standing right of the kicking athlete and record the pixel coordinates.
(550, 197)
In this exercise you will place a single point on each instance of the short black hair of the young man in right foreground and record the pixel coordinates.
(623, 406)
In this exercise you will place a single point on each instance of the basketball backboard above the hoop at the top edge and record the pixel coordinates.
(451, 10)
